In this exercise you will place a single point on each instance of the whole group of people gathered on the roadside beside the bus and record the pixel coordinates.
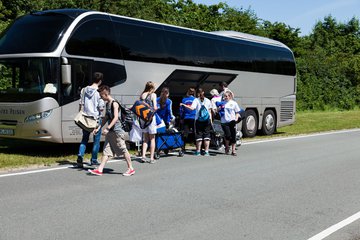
(196, 114)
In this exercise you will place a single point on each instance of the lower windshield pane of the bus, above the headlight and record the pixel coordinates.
(28, 79)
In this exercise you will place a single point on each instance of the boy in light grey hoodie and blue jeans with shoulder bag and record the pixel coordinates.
(92, 105)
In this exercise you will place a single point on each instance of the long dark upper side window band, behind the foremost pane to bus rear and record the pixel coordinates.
(143, 41)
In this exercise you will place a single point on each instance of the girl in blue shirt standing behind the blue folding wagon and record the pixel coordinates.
(164, 105)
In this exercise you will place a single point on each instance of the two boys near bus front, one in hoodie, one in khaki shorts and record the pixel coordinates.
(92, 103)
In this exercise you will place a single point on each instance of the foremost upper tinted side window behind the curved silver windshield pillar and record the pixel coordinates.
(95, 38)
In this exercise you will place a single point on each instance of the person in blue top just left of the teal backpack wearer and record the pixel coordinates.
(187, 116)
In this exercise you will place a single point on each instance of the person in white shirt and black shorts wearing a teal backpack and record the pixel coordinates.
(203, 121)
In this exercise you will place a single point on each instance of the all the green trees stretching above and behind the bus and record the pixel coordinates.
(328, 60)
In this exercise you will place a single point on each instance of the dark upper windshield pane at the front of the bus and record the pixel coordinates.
(34, 33)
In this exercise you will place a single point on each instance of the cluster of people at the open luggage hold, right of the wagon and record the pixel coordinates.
(201, 111)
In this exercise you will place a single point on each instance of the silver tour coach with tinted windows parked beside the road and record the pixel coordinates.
(47, 57)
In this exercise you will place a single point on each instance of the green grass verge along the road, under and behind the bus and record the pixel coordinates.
(21, 153)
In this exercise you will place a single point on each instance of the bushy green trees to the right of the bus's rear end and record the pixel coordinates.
(329, 66)
